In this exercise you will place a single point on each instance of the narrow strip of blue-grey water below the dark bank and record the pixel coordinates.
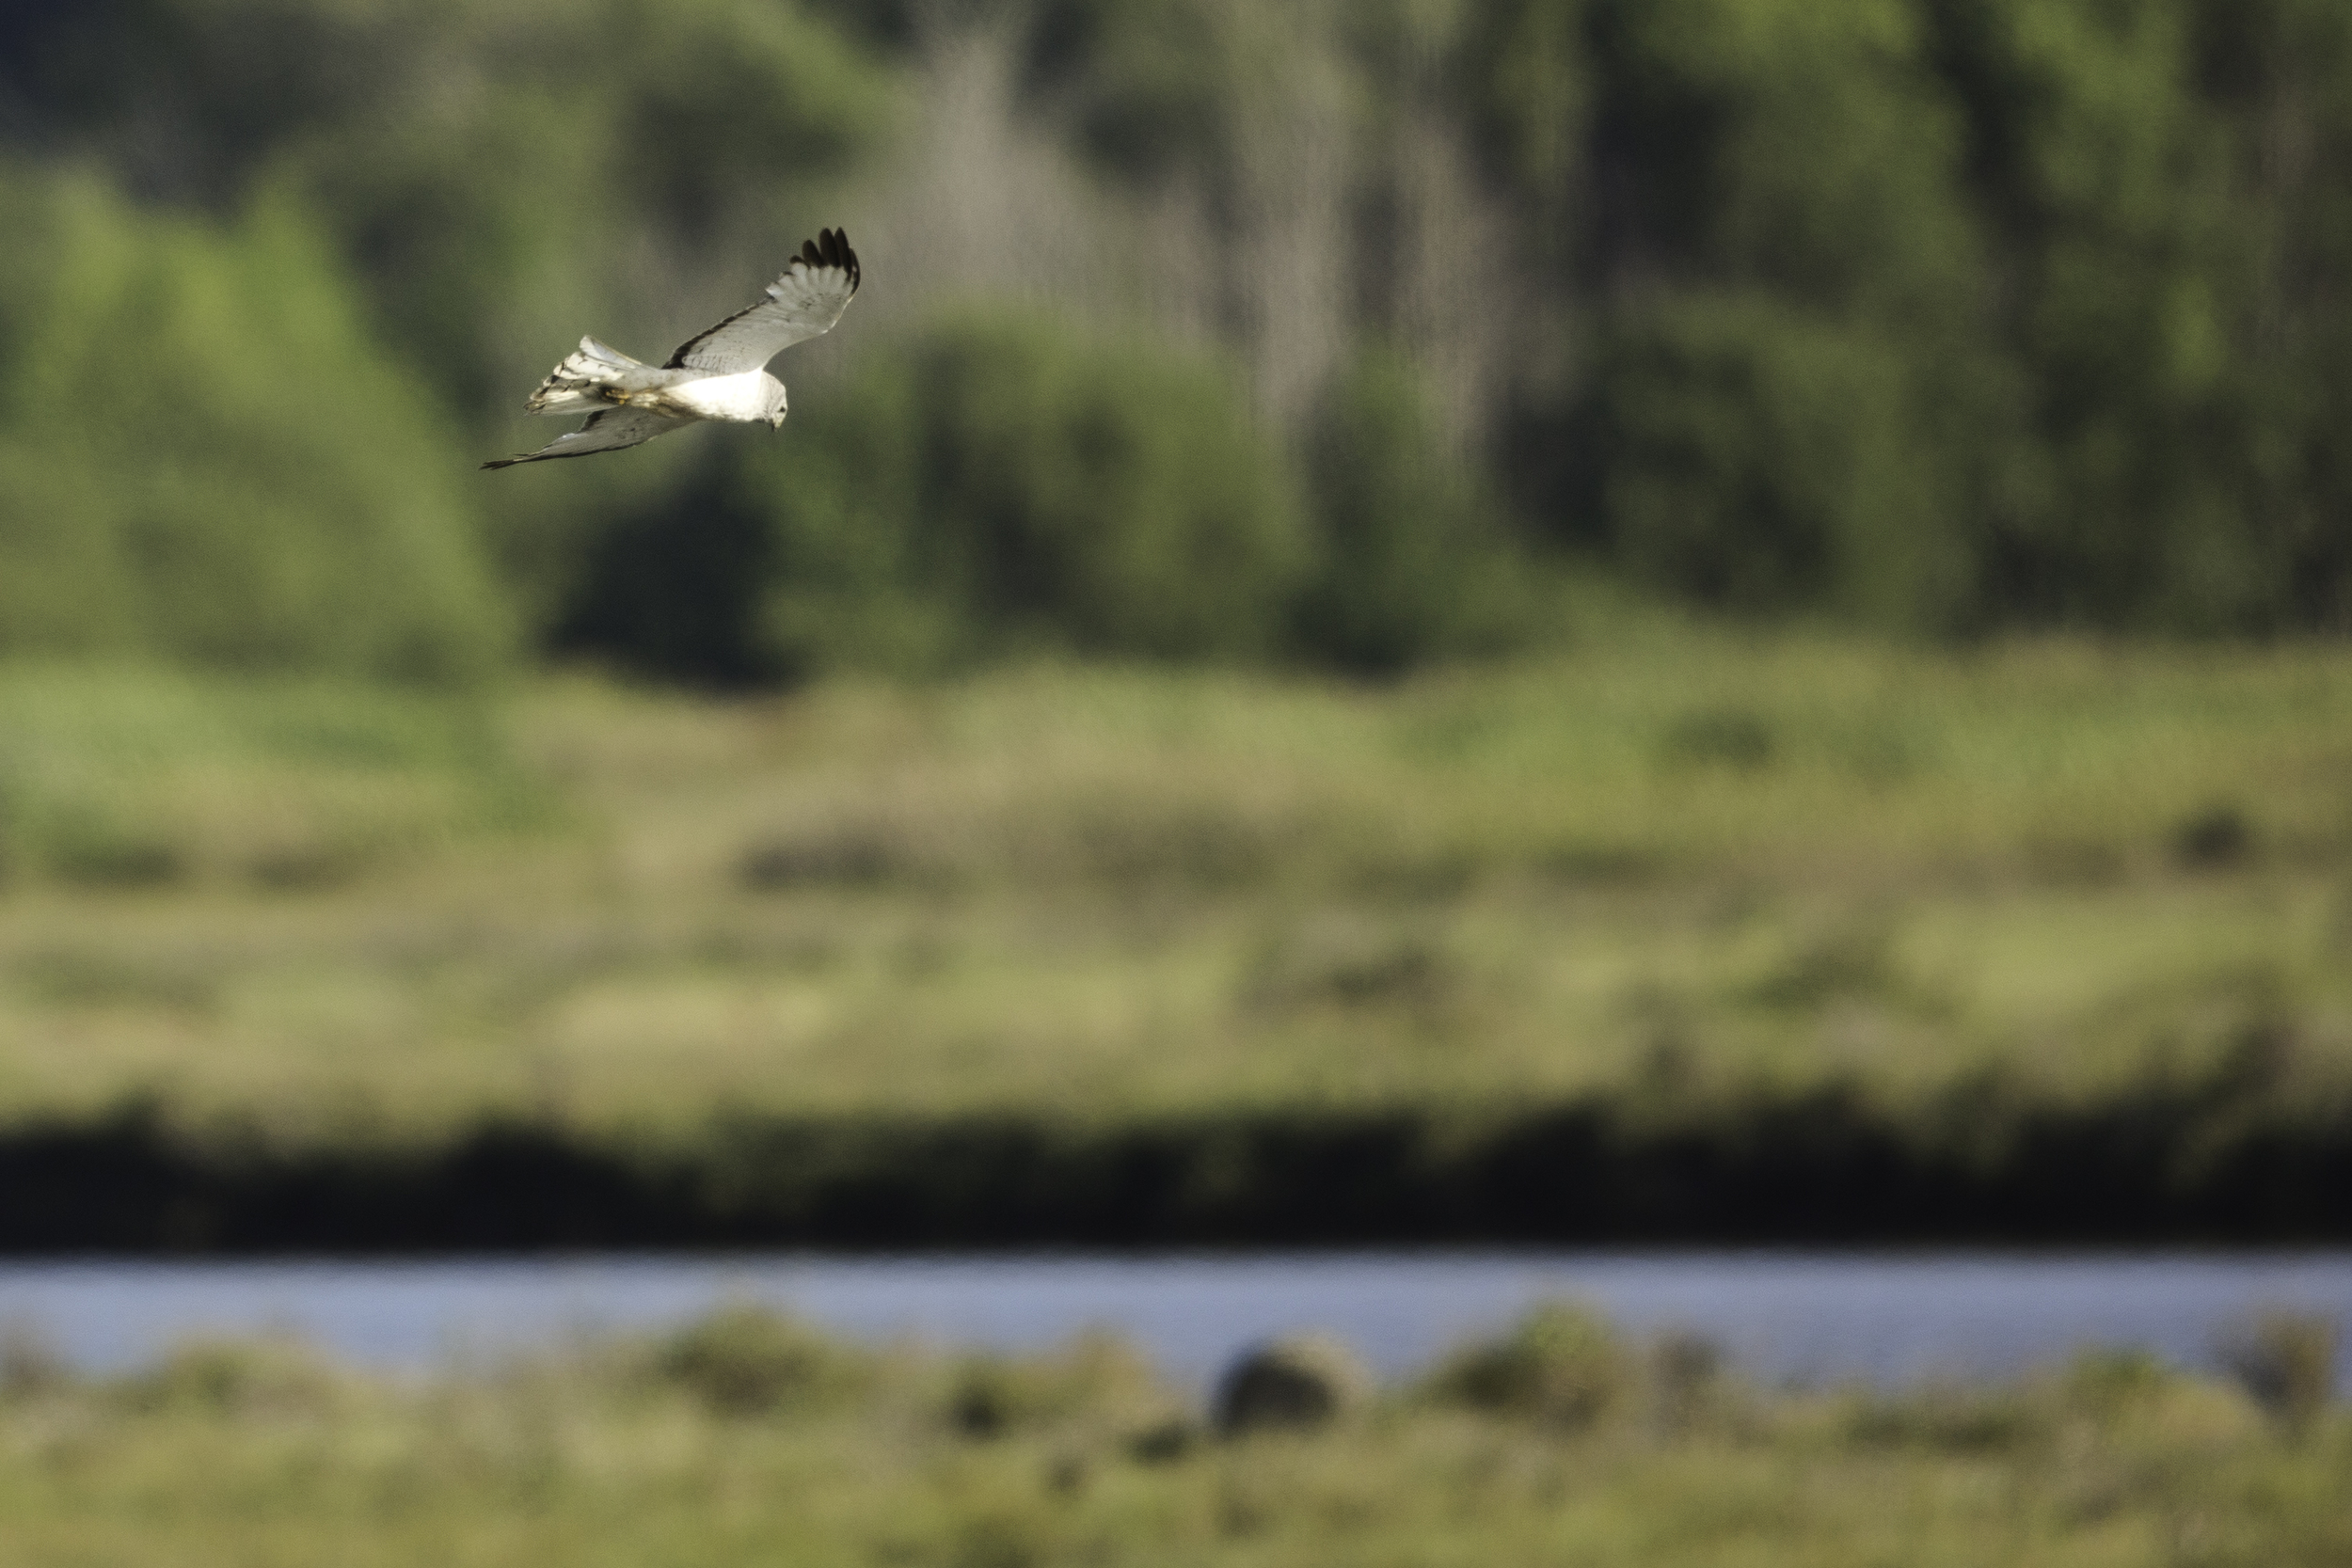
(1782, 1318)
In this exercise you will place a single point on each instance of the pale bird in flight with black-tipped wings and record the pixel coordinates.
(714, 375)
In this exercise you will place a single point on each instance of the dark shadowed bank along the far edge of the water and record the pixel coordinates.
(2217, 1160)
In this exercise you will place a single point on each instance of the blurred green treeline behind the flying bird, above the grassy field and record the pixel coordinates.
(1290, 330)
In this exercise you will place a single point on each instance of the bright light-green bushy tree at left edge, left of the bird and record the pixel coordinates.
(206, 460)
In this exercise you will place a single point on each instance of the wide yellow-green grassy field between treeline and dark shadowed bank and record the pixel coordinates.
(1666, 857)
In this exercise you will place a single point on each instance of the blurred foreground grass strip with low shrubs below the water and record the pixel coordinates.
(754, 1442)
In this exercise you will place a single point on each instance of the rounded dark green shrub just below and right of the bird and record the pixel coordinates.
(1001, 483)
